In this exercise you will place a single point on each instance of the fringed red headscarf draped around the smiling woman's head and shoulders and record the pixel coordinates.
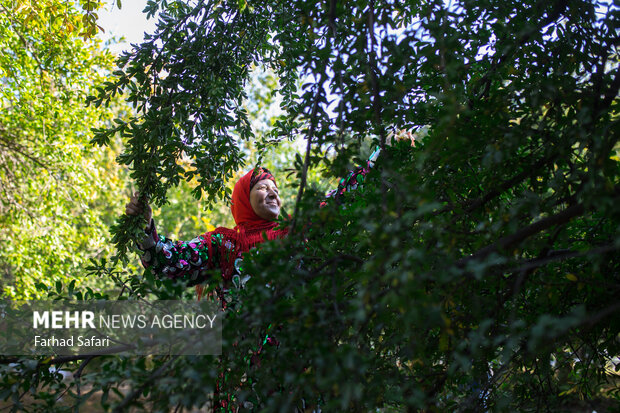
(251, 229)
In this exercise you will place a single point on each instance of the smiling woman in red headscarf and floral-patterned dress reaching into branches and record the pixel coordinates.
(255, 207)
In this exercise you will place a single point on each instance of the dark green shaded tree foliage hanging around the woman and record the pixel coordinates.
(475, 271)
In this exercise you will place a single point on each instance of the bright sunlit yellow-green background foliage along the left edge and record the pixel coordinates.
(58, 193)
